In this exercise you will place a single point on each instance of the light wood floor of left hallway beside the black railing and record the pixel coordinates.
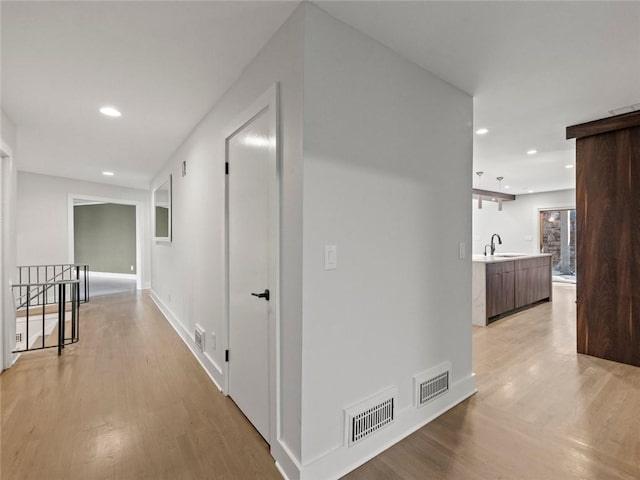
(127, 402)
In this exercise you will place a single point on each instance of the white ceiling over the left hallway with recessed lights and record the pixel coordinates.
(163, 64)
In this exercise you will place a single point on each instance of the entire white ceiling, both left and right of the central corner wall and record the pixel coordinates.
(533, 68)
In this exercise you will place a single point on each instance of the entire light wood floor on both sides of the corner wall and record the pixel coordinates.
(130, 402)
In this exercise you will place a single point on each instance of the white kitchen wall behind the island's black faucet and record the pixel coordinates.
(518, 223)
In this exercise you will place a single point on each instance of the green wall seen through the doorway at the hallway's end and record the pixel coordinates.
(105, 237)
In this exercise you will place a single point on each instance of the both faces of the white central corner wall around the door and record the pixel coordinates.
(368, 174)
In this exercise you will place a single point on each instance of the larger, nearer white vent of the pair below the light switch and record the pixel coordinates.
(369, 416)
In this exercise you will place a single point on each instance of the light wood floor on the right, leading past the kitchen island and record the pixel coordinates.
(542, 411)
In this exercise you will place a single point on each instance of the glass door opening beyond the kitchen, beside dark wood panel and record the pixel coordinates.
(558, 237)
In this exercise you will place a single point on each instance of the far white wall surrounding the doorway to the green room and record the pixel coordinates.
(43, 223)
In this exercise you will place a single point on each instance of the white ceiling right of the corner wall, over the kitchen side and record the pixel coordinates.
(533, 68)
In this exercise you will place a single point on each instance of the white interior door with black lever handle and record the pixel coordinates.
(250, 250)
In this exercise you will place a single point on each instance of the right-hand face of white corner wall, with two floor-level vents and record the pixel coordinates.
(386, 144)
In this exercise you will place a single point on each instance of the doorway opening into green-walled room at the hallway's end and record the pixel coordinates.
(105, 234)
